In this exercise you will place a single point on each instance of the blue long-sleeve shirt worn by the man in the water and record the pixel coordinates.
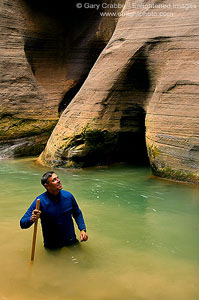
(56, 218)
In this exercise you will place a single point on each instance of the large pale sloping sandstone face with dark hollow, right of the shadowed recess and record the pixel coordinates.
(142, 90)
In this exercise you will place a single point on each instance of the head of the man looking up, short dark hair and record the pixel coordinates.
(51, 182)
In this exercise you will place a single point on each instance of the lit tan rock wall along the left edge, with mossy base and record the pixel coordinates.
(22, 100)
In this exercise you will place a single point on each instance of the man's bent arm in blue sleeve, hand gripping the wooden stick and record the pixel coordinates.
(30, 216)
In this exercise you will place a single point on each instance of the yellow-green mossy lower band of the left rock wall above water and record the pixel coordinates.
(24, 137)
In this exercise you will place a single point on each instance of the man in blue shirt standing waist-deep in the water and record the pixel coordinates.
(56, 210)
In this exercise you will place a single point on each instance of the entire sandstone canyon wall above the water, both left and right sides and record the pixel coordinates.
(136, 102)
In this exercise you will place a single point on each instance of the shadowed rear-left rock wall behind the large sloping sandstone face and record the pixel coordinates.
(46, 53)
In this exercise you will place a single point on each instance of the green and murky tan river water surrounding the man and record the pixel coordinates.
(143, 237)
